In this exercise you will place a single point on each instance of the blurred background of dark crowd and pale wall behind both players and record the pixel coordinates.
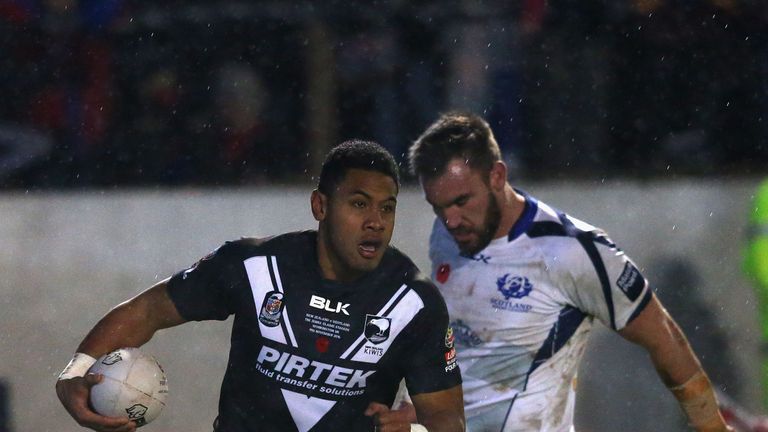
(134, 138)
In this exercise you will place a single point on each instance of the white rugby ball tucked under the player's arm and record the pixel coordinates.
(134, 385)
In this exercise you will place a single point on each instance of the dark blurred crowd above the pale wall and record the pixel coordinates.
(128, 93)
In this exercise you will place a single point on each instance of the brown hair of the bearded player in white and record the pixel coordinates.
(454, 135)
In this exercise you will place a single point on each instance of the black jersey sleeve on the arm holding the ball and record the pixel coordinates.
(204, 291)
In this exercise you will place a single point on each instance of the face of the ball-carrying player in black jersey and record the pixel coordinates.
(357, 221)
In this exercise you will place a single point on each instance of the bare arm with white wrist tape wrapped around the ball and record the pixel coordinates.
(129, 324)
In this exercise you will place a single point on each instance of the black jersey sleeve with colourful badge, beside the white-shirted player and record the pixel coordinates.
(429, 360)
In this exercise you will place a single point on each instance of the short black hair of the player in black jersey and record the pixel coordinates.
(355, 154)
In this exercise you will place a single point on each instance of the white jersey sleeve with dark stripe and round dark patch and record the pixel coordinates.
(606, 282)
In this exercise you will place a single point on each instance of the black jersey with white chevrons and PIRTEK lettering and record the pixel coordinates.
(309, 354)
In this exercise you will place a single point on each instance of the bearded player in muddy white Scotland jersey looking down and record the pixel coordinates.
(524, 282)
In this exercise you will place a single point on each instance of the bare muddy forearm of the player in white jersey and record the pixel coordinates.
(677, 365)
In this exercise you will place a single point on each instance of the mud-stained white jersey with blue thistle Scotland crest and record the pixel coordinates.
(521, 312)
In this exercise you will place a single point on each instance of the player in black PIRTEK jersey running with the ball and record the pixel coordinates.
(326, 323)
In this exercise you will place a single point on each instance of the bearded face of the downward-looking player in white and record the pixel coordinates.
(464, 201)
